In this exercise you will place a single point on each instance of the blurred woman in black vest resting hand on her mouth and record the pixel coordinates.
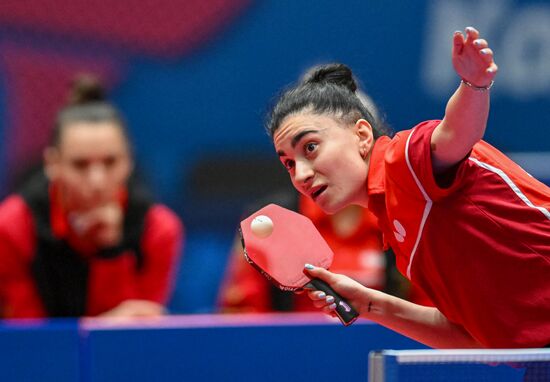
(83, 237)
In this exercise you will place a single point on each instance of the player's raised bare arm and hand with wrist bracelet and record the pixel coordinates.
(467, 110)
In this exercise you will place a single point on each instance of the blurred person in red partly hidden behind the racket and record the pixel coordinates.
(353, 235)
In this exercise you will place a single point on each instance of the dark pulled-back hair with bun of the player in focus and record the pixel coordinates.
(327, 89)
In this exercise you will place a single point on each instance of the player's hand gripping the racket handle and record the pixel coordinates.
(352, 291)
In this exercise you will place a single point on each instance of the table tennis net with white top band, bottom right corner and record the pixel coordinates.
(525, 365)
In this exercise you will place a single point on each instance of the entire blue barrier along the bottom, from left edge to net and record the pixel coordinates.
(268, 347)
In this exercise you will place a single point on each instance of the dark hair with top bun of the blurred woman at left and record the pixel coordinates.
(86, 103)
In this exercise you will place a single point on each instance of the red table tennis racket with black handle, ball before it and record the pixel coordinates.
(278, 242)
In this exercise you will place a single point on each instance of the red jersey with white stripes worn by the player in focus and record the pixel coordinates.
(480, 248)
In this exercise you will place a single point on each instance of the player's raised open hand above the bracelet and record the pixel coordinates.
(473, 59)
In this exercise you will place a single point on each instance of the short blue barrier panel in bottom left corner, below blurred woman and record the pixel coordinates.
(39, 351)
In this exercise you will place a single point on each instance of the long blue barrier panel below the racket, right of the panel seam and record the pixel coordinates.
(236, 348)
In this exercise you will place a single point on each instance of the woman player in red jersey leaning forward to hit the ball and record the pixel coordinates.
(468, 225)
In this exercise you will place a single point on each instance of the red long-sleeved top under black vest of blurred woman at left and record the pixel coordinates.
(110, 282)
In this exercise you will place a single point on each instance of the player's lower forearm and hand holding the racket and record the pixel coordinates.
(424, 324)
